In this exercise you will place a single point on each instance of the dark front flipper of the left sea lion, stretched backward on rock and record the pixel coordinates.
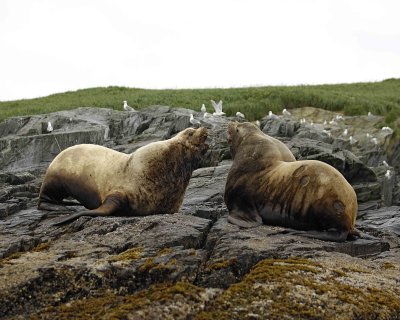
(110, 205)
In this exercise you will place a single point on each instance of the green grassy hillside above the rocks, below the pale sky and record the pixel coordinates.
(381, 98)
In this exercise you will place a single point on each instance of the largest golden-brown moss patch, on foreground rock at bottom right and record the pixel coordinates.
(300, 288)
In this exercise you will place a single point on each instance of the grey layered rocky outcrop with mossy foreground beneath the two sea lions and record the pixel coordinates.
(192, 264)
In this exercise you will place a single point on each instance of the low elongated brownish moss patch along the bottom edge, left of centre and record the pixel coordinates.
(111, 306)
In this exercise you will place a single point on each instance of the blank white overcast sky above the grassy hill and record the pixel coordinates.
(49, 46)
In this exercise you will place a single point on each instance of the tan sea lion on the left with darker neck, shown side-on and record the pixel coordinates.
(151, 180)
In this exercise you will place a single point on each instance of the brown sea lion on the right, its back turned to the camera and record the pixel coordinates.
(267, 185)
